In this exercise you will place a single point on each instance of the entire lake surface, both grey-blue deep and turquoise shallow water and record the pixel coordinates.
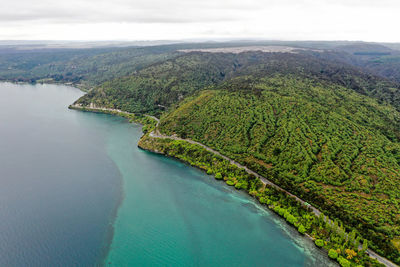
(76, 191)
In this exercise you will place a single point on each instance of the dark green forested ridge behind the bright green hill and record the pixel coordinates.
(157, 87)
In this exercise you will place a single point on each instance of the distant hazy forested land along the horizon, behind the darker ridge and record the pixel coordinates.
(90, 67)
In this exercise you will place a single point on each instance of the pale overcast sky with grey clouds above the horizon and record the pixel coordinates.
(368, 20)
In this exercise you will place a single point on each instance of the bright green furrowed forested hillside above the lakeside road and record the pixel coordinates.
(336, 148)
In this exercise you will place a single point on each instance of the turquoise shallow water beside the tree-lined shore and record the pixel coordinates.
(175, 215)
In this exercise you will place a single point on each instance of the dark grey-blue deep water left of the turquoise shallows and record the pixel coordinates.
(58, 188)
